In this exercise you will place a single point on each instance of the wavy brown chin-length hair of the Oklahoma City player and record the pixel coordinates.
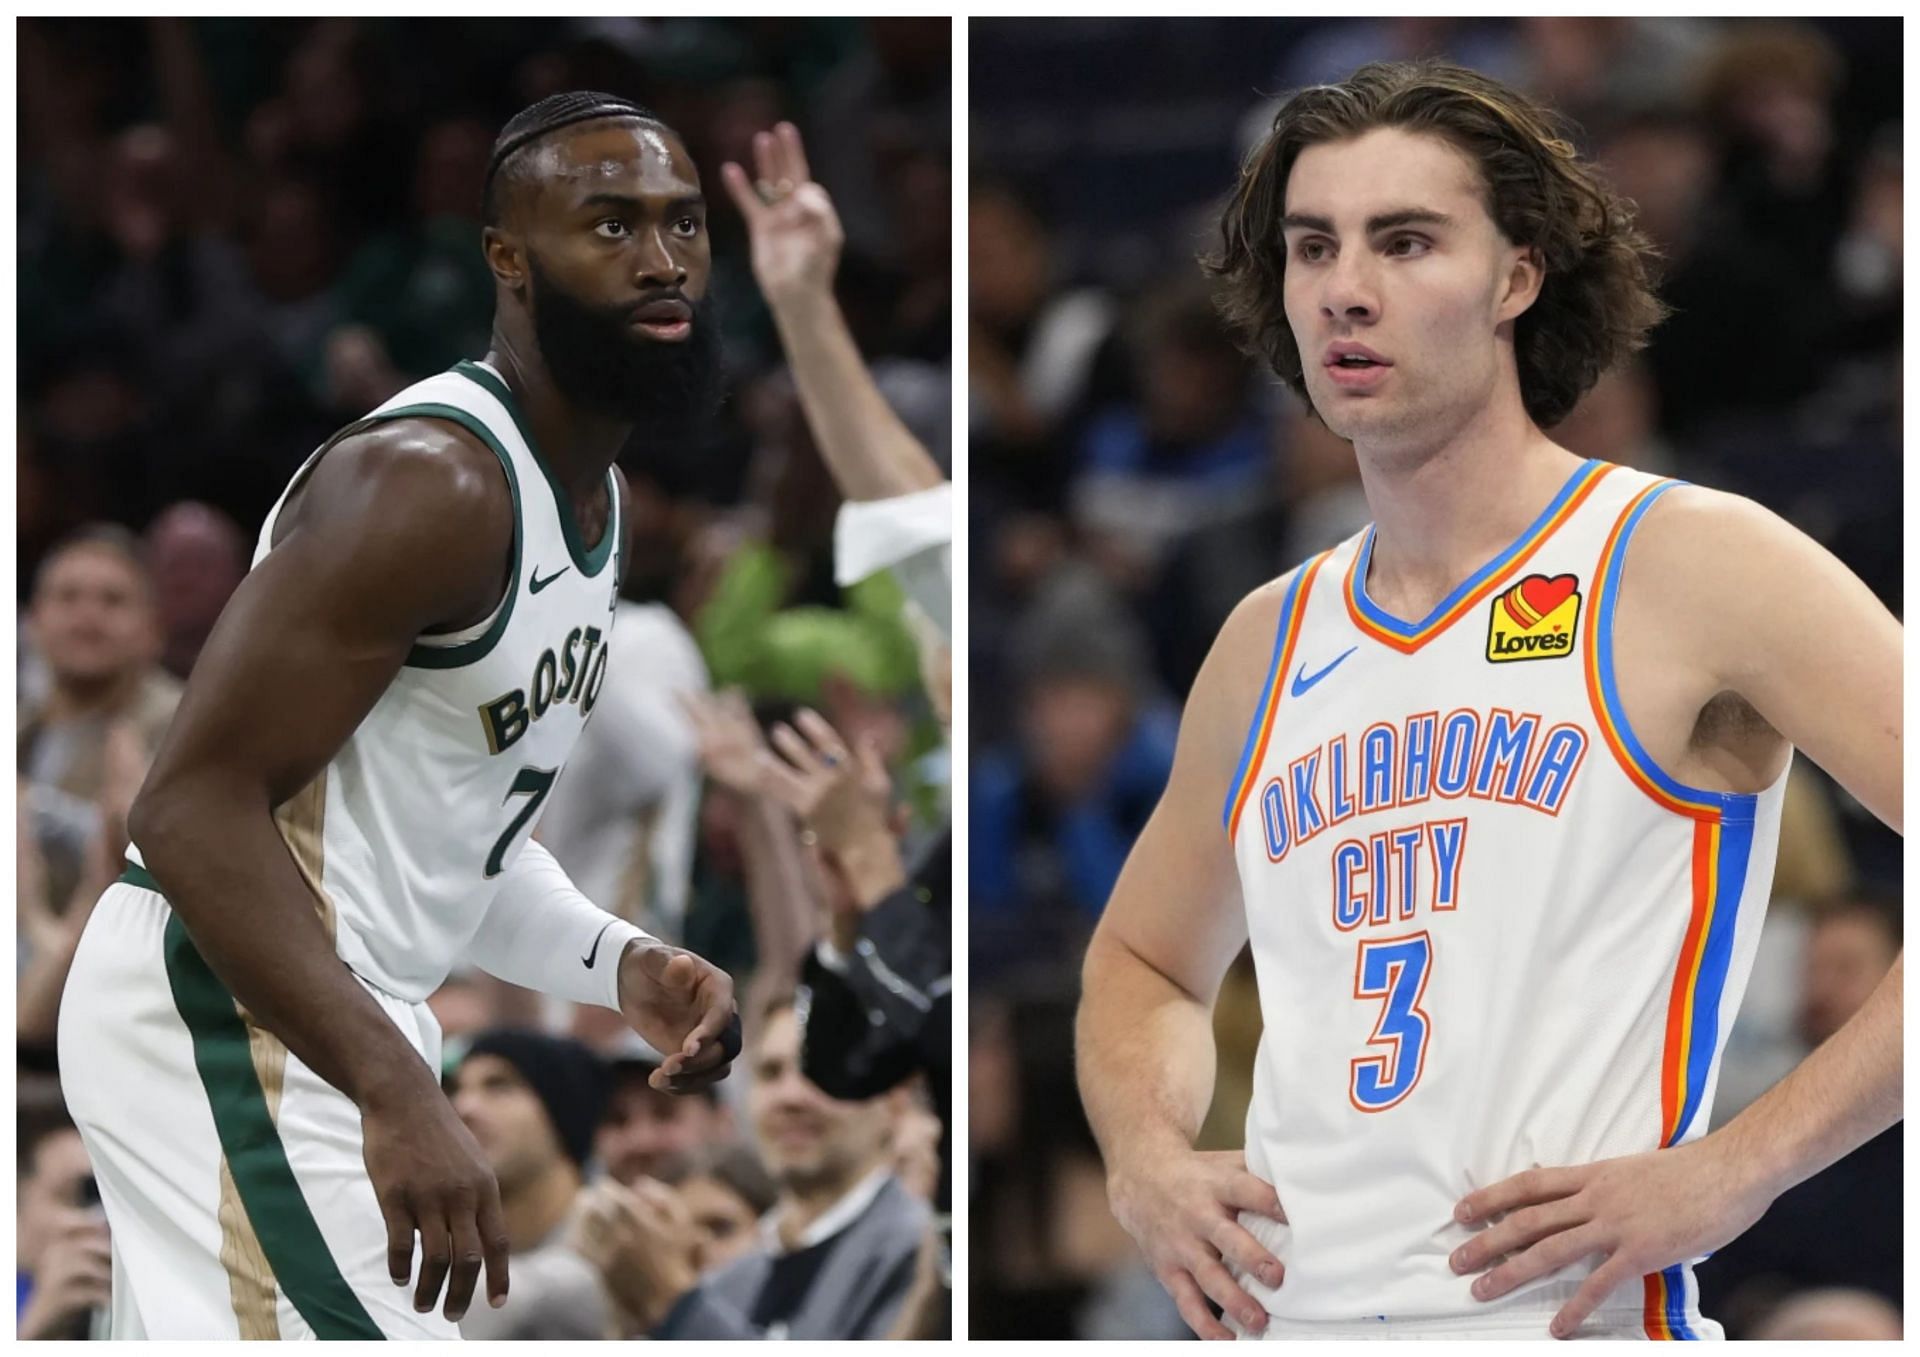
(1596, 302)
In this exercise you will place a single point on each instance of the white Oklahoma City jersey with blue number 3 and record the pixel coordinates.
(1491, 934)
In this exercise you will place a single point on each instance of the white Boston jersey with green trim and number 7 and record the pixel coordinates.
(406, 834)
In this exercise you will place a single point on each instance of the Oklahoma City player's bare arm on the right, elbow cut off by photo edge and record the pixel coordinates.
(1767, 640)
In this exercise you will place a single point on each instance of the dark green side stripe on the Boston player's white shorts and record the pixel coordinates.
(266, 1181)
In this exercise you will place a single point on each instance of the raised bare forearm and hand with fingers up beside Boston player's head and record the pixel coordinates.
(796, 250)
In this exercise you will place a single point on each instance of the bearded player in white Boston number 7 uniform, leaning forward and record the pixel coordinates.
(341, 811)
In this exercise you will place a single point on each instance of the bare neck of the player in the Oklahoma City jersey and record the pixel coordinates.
(1445, 512)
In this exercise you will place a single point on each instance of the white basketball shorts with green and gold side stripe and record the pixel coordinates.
(231, 1174)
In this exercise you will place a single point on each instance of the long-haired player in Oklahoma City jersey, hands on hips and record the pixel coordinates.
(1493, 788)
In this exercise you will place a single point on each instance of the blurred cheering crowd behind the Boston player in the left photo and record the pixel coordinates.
(241, 235)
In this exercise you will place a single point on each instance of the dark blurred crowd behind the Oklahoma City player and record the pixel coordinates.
(1134, 475)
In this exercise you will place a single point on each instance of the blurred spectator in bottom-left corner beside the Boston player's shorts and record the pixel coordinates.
(64, 1268)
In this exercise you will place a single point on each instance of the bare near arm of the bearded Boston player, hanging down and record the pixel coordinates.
(398, 531)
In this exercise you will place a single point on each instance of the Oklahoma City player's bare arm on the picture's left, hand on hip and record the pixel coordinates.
(1147, 1014)
